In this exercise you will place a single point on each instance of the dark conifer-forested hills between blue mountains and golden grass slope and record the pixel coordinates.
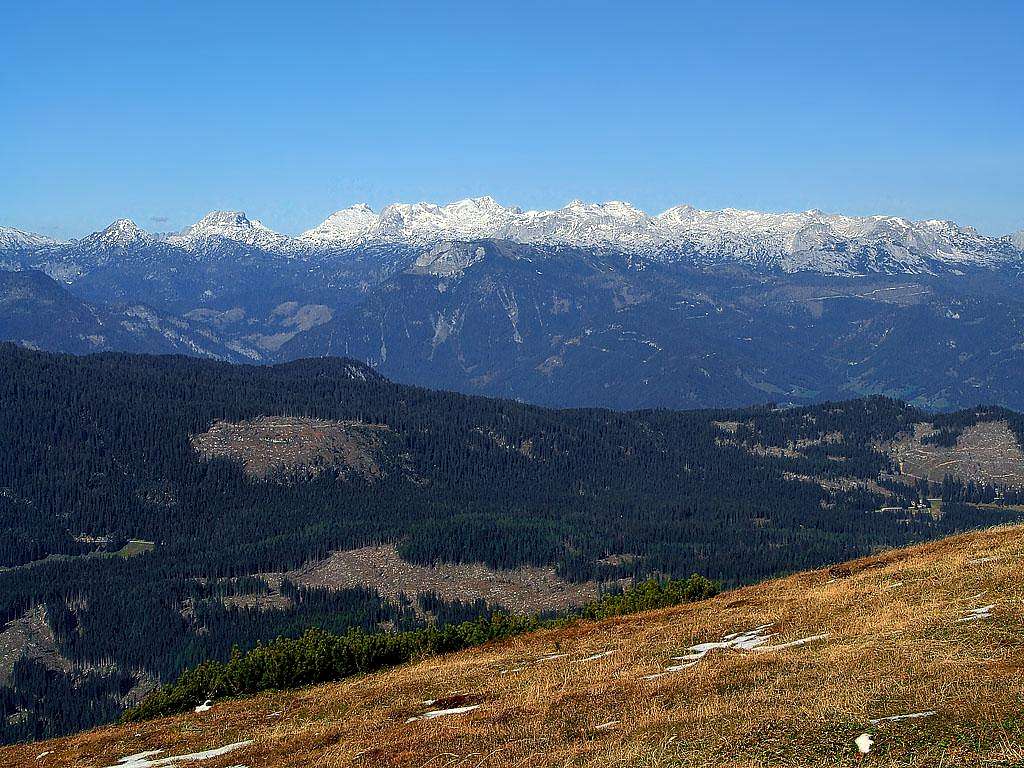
(218, 475)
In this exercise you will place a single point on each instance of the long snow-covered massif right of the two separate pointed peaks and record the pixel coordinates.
(791, 242)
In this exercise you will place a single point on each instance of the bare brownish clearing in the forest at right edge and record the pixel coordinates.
(985, 453)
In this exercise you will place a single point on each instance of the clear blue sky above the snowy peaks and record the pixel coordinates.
(291, 111)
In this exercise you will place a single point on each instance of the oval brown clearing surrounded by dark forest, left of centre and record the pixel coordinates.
(291, 446)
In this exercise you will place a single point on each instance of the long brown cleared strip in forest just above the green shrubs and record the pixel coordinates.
(524, 590)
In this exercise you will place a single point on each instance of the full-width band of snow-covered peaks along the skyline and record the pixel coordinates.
(812, 241)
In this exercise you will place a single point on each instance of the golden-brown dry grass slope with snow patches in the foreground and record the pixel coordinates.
(894, 648)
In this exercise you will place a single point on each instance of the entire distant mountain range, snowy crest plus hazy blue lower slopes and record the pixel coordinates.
(594, 305)
